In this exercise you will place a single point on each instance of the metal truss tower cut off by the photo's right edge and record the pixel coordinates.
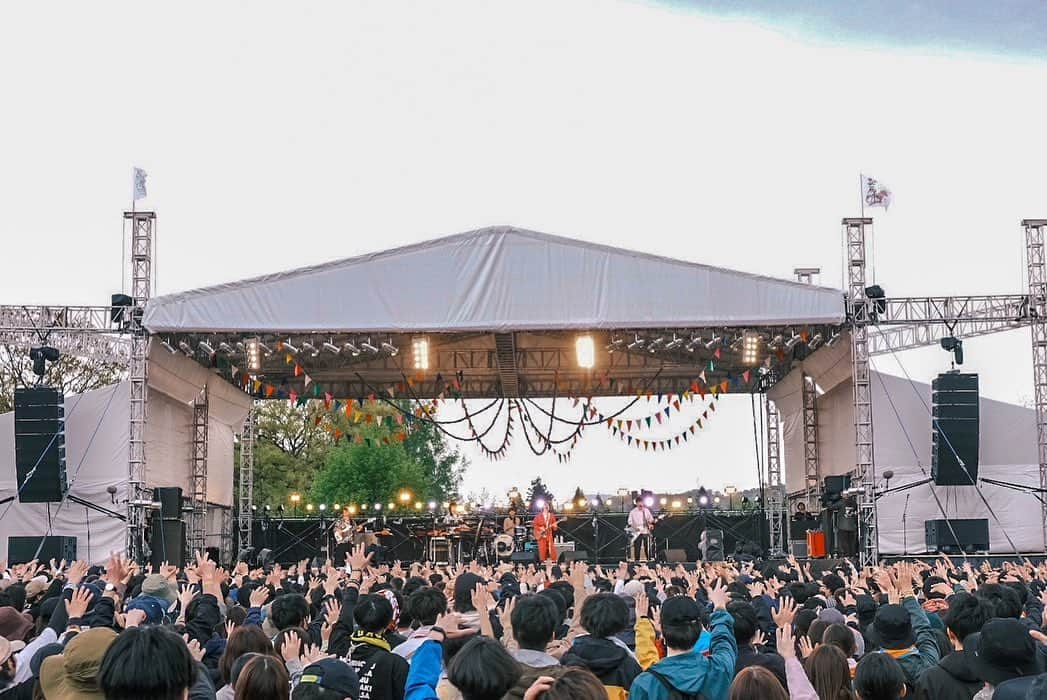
(1038, 313)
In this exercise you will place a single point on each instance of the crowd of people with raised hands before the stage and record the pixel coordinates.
(752, 631)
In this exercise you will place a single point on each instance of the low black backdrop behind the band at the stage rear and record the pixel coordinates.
(603, 537)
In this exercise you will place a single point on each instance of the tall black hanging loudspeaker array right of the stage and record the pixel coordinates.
(954, 446)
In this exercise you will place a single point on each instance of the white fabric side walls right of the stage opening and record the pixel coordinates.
(902, 437)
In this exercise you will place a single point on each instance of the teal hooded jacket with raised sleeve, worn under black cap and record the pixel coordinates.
(693, 672)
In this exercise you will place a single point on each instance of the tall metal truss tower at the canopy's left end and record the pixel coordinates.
(142, 276)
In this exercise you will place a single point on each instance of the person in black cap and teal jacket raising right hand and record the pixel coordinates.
(684, 671)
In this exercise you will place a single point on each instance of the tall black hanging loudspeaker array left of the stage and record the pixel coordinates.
(40, 445)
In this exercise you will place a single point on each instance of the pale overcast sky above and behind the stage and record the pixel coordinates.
(280, 136)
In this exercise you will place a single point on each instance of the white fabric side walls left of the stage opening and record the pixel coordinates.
(97, 456)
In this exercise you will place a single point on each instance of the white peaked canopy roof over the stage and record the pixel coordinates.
(496, 280)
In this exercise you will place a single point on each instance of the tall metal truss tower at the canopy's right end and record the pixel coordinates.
(861, 315)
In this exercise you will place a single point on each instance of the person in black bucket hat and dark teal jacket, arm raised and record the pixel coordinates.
(903, 630)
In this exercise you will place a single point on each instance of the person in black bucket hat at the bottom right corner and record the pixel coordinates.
(1004, 656)
